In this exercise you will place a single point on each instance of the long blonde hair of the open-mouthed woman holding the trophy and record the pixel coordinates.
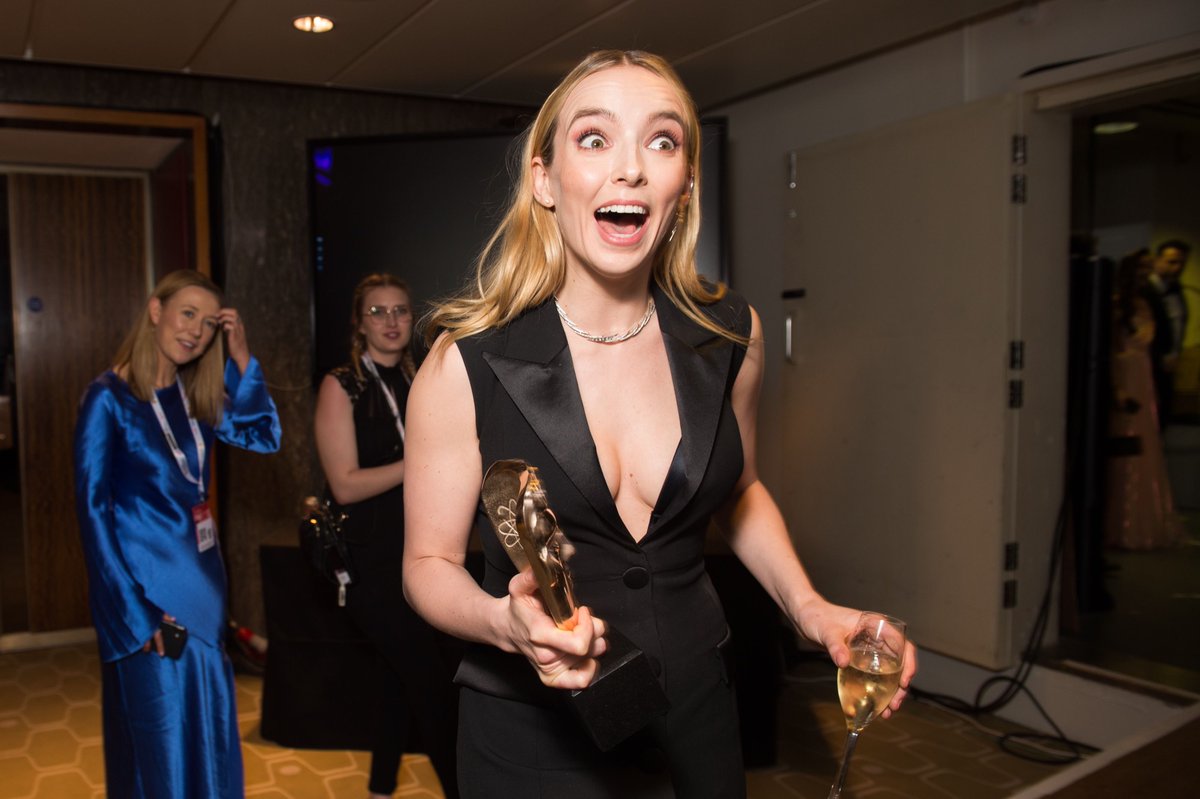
(524, 263)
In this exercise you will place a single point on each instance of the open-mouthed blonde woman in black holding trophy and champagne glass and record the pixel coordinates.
(590, 349)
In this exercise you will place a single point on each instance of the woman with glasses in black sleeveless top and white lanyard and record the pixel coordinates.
(361, 440)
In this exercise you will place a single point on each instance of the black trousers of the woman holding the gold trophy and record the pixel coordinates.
(514, 749)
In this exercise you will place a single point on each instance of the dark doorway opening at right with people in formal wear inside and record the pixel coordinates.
(1135, 573)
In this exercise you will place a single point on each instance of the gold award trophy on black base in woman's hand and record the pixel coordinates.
(625, 696)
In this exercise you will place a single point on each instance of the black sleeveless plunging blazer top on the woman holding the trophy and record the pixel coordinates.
(529, 407)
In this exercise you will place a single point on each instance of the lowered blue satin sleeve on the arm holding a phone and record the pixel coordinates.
(124, 618)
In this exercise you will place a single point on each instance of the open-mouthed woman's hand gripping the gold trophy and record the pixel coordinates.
(563, 659)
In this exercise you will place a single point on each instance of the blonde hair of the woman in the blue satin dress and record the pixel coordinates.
(203, 379)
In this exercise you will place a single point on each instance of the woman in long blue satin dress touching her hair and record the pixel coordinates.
(142, 477)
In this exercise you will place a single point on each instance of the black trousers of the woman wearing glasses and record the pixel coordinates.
(418, 700)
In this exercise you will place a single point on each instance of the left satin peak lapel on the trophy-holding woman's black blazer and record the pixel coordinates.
(537, 371)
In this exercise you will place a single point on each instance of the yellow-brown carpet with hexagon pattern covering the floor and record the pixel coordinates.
(51, 744)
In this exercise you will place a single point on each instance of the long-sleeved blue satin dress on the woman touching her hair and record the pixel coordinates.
(171, 726)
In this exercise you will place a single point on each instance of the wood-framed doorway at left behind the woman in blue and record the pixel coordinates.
(95, 206)
